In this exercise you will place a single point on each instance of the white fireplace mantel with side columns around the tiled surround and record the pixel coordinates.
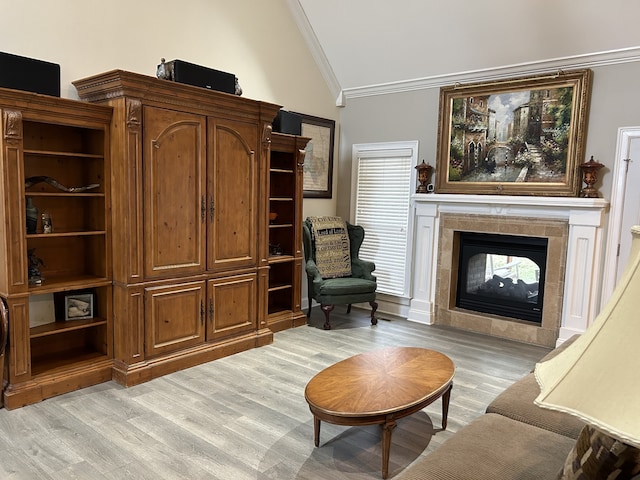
(585, 218)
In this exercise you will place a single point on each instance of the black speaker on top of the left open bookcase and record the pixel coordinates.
(23, 73)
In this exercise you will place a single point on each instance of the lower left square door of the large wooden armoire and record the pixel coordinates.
(174, 317)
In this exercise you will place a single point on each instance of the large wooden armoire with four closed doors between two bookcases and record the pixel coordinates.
(189, 220)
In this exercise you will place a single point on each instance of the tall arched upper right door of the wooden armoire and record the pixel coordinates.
(233, 190)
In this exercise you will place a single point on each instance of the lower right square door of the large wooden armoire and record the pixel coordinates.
(232, 306)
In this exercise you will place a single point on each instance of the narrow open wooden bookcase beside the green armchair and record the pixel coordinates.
(285, 237)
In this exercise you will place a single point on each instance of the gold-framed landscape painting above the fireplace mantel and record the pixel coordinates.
(522, 136)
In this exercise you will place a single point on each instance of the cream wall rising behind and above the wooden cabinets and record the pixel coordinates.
(256, 40)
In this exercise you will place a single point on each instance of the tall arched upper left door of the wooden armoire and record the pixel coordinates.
(174, 192)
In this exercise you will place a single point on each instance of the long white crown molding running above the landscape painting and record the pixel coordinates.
(590, 60)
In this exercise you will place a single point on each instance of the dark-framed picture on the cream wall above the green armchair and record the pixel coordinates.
(318, 161)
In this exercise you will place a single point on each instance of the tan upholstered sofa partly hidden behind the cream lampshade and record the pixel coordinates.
(514, 439)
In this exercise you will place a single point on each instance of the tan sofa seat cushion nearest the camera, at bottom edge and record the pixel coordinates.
(494, 447)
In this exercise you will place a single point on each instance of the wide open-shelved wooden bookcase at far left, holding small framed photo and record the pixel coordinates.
(50, 149)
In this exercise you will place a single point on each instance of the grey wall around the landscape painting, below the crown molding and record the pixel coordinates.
(414, 116)
